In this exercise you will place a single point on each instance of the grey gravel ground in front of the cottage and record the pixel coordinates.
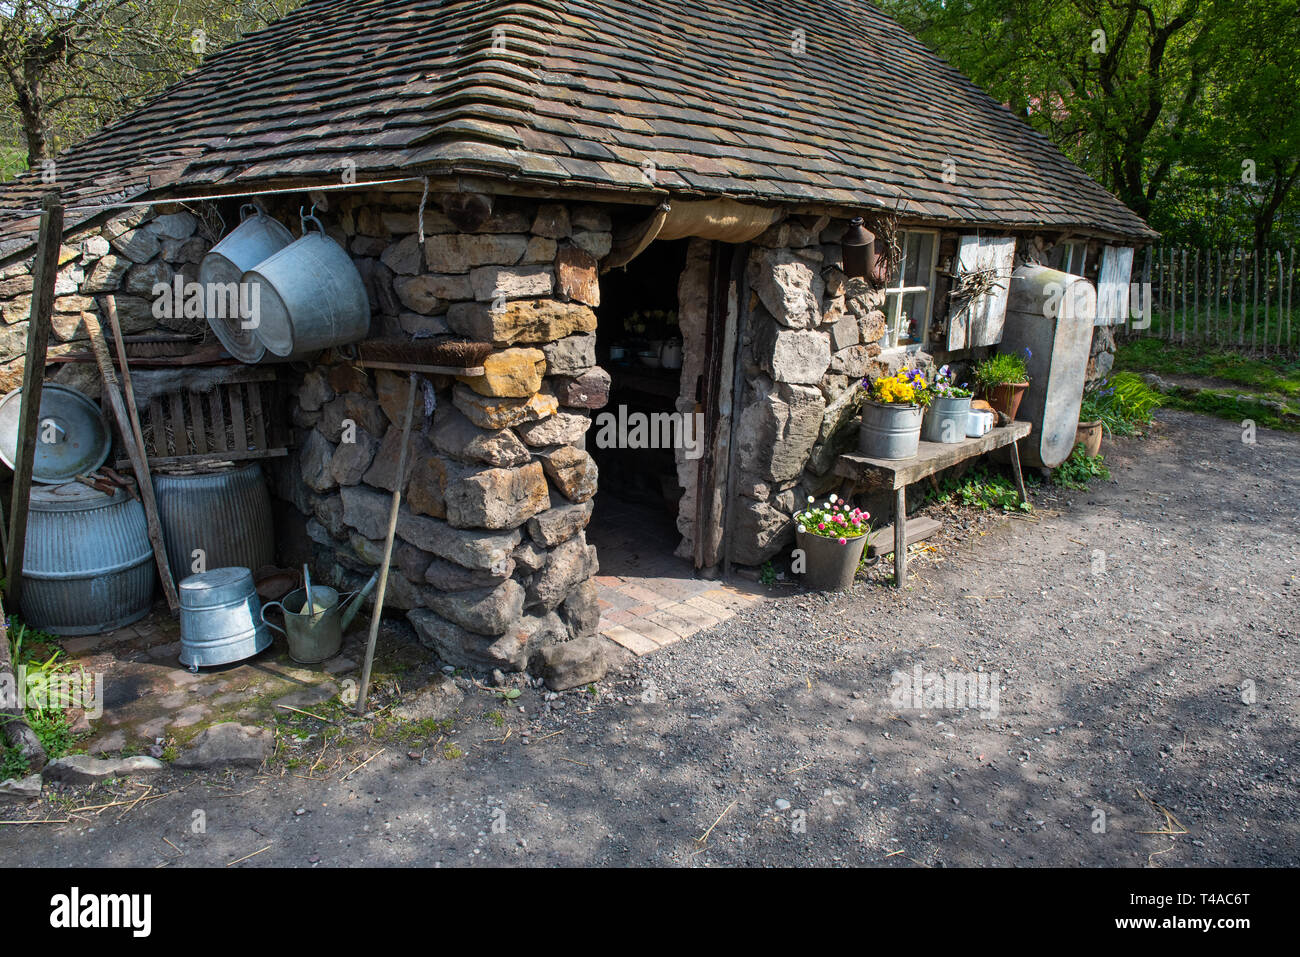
(1143, 643)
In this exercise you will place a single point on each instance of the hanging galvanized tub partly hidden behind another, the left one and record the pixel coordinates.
(257, 239)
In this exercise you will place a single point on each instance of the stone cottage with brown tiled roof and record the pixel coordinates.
(577, 183)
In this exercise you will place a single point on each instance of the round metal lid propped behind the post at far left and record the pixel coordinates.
(72, 436)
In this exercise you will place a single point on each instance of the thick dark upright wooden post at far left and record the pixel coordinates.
(33, 379)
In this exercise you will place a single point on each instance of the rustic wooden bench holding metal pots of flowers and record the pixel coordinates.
(896, 475)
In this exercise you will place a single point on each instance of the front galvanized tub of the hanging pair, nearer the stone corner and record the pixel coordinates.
(311, 297)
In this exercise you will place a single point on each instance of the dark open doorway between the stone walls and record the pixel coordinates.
(640, 345)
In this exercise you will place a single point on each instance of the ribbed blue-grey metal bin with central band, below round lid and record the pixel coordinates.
(89, 566)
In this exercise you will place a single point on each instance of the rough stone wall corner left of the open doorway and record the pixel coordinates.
(492, 562)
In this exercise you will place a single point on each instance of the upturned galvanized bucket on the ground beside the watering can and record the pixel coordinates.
(220, 620)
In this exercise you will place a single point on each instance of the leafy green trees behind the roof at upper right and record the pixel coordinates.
(1182, 109)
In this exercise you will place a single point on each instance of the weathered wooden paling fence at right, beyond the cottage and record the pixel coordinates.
(1223, 297)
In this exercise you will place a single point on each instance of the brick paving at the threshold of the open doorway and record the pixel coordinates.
(651, 599)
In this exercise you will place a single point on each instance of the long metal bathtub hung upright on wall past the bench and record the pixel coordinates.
(1050, 319)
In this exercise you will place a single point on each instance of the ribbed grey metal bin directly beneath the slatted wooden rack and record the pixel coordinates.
(227, 516)
